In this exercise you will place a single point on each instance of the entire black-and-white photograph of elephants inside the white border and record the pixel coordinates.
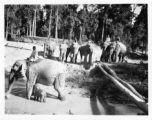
(76, 59)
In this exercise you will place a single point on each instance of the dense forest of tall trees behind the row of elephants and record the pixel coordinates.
(93, 21)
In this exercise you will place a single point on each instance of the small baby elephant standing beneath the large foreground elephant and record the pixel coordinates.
(39, 93)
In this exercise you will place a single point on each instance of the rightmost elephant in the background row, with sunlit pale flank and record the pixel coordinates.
(116, 52)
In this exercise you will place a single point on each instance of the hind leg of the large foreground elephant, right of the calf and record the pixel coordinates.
(59, 86)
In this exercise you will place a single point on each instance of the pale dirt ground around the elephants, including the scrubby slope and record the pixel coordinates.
(79, 100)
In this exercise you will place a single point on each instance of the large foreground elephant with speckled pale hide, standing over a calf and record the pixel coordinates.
(45, 71)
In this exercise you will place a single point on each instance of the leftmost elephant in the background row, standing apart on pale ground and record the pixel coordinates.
(49, 48)
